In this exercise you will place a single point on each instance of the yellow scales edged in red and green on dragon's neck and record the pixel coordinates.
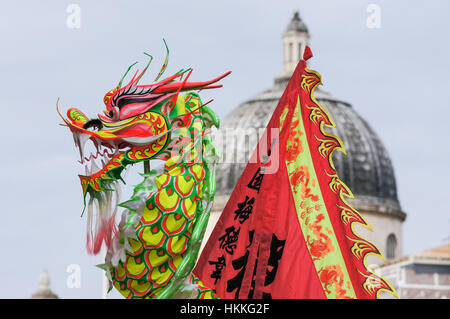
(163, 232)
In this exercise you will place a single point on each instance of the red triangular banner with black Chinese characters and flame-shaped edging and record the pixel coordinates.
(286, 231)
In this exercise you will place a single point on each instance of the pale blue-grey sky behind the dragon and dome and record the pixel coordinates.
(395, 76)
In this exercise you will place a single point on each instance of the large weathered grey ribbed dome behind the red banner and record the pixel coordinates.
(366, 169)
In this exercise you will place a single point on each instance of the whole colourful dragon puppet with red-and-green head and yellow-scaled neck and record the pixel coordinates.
(153, 249)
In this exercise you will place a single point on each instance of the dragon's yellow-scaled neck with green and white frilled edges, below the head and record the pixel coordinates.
(164, 222)
